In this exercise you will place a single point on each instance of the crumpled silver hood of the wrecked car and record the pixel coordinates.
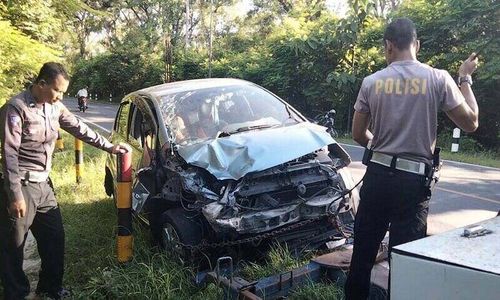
(234, 156)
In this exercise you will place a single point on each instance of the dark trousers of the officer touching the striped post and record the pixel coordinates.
(43, 218)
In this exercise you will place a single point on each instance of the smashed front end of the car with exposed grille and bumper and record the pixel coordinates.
(313, 190)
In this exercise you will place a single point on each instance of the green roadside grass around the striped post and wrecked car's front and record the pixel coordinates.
(92, 271)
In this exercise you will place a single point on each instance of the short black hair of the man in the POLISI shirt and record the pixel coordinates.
(401, 32)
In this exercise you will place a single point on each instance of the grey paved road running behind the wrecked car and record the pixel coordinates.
(466, 193)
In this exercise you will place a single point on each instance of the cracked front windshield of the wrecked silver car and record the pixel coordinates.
(199, 115)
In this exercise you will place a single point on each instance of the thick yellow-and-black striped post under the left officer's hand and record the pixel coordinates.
(124, 241)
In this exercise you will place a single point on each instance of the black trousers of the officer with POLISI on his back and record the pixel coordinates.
(390, 200)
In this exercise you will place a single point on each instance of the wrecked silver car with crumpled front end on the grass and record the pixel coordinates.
(221, 164)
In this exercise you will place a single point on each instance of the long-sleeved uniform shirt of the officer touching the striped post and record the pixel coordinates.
(28, 132)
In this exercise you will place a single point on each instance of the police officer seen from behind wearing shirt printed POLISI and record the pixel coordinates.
(396, 117)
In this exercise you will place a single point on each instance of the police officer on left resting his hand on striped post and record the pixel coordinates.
(29, 124)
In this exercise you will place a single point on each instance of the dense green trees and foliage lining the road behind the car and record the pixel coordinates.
(303, 51)
